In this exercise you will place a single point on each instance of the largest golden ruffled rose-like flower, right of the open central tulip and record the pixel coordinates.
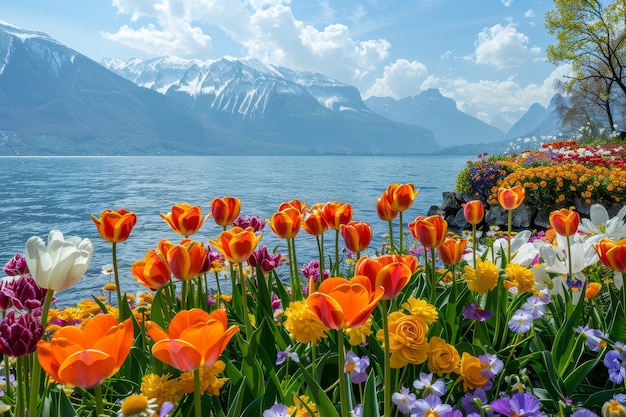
(407, 339)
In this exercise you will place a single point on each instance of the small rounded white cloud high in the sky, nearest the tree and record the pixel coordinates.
(502, 47)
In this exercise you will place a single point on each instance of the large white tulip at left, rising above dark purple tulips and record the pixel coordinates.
(62, 263)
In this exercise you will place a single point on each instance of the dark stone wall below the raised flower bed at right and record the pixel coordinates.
(524, 217)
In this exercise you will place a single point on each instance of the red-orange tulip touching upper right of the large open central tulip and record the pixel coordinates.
(392, 272)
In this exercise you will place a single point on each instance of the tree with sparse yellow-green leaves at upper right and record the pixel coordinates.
(591, 36)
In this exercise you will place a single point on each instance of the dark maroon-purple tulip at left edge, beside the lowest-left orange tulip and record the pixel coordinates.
(19, 335)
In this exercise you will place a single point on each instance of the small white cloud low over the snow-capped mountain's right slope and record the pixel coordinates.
(400, 79)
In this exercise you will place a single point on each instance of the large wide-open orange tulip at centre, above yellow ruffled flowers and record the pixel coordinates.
(344, 304)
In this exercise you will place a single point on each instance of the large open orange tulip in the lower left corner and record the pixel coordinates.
(85, 357)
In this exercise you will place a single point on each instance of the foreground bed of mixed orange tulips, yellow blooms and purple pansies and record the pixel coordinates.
(429, 324)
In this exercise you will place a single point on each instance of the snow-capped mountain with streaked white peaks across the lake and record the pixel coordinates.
(277, 104)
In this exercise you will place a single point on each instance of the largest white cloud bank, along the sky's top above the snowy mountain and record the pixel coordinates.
(266, 29)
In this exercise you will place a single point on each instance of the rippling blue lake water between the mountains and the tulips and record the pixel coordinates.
(38, 194)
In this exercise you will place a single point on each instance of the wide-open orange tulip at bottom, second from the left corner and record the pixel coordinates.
(195, 339)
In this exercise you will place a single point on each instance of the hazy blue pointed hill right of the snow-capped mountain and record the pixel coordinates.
(433, 111)
